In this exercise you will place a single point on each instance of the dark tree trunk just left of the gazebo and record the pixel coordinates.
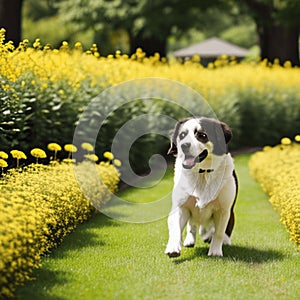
(149, 45)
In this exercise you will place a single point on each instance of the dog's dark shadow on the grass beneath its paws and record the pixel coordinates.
(236, 253)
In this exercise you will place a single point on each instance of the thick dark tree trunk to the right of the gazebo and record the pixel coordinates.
(278, 41)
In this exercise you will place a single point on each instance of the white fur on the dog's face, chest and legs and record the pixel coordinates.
(202, 201)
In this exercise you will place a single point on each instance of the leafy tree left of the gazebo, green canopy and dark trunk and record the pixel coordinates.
(148, 23)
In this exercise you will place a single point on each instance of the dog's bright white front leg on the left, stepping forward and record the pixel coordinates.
(176, 222)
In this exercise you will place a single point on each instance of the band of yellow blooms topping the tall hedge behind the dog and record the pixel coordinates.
(74, 65)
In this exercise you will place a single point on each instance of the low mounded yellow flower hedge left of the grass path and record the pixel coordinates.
(39, 205)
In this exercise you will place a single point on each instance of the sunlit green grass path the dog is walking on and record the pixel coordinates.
(108, 259)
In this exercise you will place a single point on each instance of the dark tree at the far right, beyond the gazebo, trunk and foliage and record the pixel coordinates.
(278, 27)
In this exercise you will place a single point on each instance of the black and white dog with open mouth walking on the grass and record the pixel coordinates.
(205, 185)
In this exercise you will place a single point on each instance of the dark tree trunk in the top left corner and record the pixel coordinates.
(10, 19)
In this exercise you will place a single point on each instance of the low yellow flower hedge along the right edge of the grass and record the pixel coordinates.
(277, 169)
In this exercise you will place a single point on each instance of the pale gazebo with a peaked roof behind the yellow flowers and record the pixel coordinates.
(209, 50)
